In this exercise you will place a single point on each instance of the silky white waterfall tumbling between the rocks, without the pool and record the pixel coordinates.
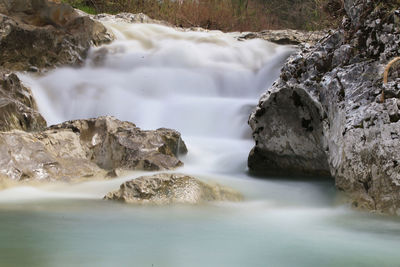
(203, 84)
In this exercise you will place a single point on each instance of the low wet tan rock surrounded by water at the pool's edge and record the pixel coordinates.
(168, 188)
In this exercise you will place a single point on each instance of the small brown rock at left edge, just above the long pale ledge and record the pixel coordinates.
(18, 108)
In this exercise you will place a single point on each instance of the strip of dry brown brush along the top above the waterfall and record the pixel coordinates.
(227, 15)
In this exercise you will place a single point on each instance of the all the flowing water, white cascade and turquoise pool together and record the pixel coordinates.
(203, 84)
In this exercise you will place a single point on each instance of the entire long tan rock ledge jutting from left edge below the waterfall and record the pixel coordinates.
(87, 148)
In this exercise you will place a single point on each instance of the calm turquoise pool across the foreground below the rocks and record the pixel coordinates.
(254, 233)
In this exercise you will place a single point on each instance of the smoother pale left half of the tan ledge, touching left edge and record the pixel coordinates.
(44, 156)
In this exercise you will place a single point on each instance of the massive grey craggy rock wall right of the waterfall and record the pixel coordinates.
(324, 114)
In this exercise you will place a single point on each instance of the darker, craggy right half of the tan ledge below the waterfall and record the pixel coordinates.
(111, 144)
